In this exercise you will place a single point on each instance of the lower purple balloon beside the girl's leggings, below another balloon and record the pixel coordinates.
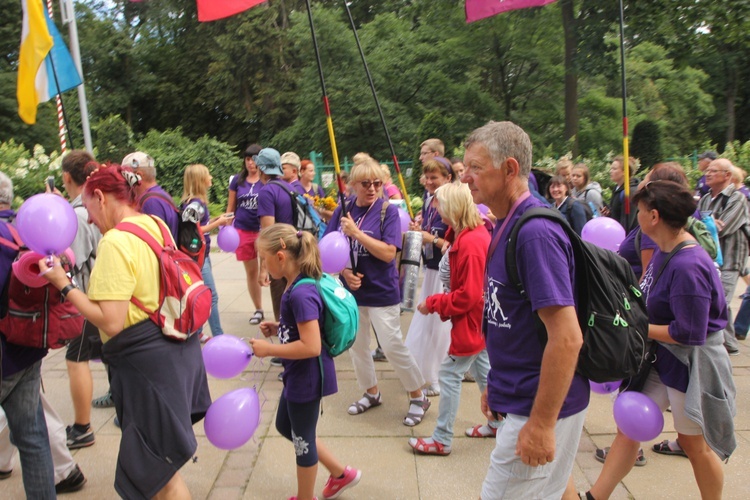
(232, 419)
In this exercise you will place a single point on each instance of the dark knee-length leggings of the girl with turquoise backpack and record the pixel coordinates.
(297, 422)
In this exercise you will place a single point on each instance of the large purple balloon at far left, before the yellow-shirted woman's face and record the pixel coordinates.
(47, 223)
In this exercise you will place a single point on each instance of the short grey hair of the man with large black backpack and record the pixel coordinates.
(504, 140)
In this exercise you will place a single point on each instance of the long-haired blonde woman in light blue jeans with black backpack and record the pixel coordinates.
(196, 182)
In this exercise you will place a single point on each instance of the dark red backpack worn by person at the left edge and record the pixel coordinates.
(37, 317)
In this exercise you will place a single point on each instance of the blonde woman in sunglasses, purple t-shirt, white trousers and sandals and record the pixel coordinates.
(374, 230)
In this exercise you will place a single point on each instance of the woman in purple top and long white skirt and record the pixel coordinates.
(429, 338)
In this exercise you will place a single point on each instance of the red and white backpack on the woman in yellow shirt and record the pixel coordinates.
(184, 300)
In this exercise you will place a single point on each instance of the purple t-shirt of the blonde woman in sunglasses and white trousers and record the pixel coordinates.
(380, 282)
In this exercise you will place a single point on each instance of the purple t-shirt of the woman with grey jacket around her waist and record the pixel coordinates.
(688, 297)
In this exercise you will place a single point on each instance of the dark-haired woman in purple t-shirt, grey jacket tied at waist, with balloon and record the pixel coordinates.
(691, 372)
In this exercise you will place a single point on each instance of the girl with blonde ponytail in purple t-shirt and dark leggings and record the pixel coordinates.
(309, 371)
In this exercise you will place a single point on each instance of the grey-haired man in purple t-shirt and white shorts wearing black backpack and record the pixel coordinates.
(534, 387)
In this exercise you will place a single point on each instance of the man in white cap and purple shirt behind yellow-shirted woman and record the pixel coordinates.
(152, 199)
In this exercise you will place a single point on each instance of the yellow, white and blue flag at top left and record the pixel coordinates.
(45, 67)
